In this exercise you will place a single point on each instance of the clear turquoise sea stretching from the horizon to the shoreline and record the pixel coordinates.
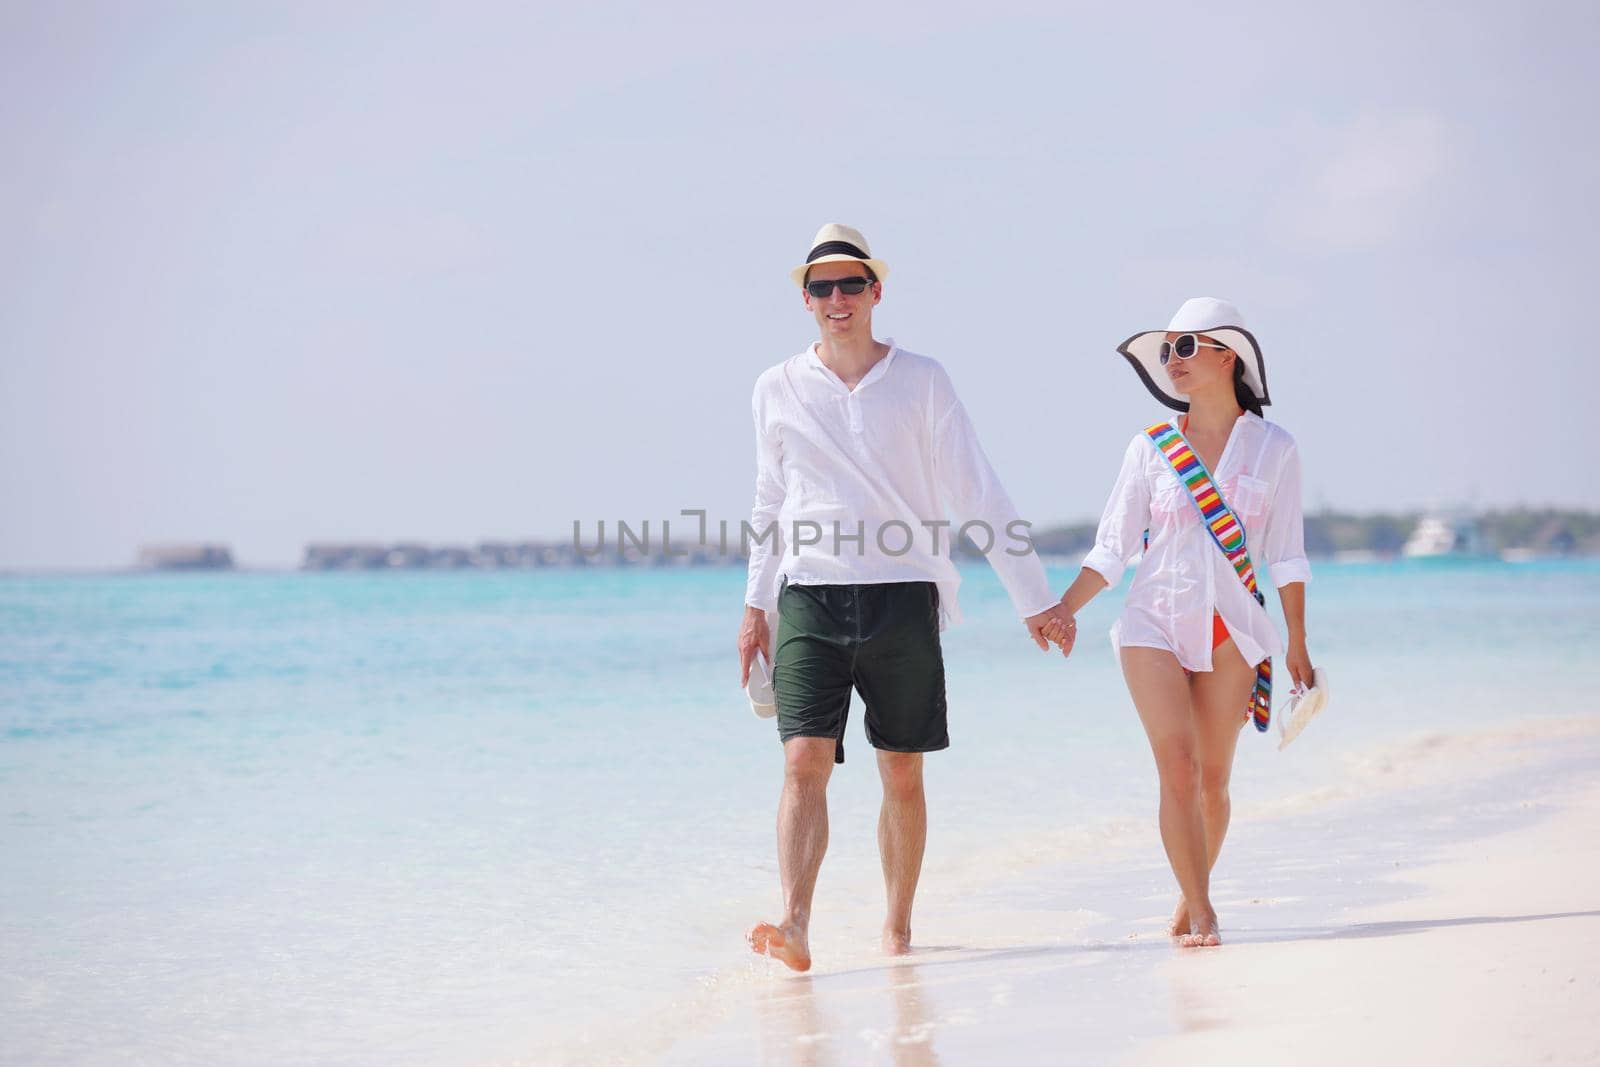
(460, 818)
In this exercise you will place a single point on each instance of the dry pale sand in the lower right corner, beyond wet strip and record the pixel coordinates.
(1495, 962)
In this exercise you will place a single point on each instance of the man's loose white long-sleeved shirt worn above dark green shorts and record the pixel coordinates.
(892, 450)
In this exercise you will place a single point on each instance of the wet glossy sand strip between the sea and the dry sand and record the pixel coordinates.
(1070, 959)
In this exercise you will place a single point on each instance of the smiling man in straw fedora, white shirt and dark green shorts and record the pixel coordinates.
(857, 444)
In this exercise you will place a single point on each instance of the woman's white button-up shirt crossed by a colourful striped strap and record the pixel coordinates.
(1185, 575)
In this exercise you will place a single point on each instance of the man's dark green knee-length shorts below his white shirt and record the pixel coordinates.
(882, 641)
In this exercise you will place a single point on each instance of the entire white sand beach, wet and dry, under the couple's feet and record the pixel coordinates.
(1444, 906)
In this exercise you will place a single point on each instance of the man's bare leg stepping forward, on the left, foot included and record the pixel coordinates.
(802, 841)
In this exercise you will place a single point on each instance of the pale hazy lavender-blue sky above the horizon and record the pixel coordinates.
(287, 273)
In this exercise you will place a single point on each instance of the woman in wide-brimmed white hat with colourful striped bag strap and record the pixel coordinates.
(1193, 631)
